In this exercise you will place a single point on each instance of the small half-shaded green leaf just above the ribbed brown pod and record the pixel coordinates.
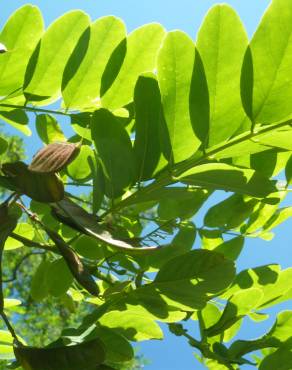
(49, 129)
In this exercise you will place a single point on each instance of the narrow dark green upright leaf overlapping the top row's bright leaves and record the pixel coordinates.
(147, 120)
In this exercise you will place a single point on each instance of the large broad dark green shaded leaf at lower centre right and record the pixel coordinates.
(189, 278)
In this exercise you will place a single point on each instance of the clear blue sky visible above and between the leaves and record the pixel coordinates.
(174, 353)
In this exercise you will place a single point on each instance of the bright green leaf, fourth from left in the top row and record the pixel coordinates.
(136, 56)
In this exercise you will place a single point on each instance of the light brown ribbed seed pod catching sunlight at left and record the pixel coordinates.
(54, 157)
